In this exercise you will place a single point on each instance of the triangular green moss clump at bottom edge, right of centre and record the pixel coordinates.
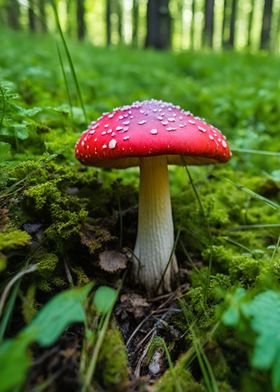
(178, 379)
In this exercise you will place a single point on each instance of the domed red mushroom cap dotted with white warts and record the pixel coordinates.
(118, 139)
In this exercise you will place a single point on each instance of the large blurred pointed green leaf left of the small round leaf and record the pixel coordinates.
(64, 309)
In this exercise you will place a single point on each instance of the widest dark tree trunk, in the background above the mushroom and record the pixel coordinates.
(158, 24)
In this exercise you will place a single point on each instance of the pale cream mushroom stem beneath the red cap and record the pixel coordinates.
(155, 236)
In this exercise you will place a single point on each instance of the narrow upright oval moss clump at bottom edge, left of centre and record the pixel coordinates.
(112, 361)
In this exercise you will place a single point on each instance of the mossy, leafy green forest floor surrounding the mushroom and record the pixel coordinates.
(218, 329)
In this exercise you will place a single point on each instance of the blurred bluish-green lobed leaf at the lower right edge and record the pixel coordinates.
(264, 311)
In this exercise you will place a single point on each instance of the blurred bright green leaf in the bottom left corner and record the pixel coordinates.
(14, 361)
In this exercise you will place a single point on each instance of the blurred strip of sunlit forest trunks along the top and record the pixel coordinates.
(161, 24)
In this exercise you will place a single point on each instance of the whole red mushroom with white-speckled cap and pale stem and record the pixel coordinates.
(152, 134)
